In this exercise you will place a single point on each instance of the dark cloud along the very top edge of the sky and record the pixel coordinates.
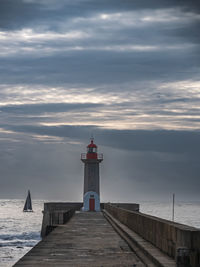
(22, 13)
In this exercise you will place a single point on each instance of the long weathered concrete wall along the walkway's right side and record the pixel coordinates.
(165, 235)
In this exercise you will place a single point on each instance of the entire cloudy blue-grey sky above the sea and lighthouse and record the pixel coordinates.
(126, 72)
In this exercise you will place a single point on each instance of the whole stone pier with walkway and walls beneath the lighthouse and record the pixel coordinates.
(119, 235)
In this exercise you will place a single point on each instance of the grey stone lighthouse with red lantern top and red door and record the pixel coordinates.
(91, 160)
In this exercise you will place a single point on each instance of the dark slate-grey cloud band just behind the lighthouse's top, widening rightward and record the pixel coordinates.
(133, 140)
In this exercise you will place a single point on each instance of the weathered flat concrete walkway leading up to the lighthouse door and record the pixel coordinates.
(86, 240)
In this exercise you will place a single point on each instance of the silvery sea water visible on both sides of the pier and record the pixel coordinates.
(20, 231)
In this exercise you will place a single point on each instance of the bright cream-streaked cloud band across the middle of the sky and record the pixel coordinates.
(172, 106)
